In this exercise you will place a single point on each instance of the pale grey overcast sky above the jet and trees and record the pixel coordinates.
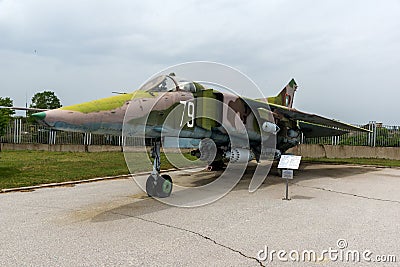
(344, 55)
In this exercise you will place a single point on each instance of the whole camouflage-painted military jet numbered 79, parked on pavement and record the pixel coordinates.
(235, 124)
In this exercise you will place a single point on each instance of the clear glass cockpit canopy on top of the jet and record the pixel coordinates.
(168, 83)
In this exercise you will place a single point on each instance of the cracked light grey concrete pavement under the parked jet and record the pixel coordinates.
(111, 223)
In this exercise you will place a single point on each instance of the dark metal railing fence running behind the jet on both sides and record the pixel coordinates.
(22, 132)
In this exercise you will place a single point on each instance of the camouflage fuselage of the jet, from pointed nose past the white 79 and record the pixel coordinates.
(161, 112)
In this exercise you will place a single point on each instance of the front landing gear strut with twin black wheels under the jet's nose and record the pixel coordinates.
(158, 185)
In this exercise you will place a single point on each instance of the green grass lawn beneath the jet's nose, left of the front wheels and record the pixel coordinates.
(27, 168)
